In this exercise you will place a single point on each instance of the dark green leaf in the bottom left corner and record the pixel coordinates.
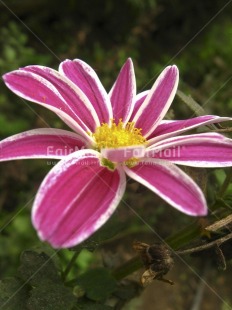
(13, 294)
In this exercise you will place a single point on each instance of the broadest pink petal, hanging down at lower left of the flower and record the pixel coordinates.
(76, 198)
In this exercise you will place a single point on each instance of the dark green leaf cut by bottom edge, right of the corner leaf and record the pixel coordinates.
(51, 296)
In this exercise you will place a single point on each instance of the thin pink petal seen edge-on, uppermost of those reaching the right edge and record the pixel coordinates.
(168, 129)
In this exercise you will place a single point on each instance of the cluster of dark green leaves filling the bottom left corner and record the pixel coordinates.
(37, 287)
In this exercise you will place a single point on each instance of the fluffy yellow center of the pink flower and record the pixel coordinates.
(117, 135)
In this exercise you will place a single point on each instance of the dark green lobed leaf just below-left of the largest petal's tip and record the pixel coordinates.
(37, 267)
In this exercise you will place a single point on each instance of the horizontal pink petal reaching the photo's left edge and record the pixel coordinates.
(41, 143)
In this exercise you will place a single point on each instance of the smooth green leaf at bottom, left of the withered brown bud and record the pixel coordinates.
(97, 283)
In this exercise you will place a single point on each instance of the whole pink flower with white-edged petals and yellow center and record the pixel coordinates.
(115, 135)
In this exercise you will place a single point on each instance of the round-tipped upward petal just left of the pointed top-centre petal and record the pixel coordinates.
(81, 74)
